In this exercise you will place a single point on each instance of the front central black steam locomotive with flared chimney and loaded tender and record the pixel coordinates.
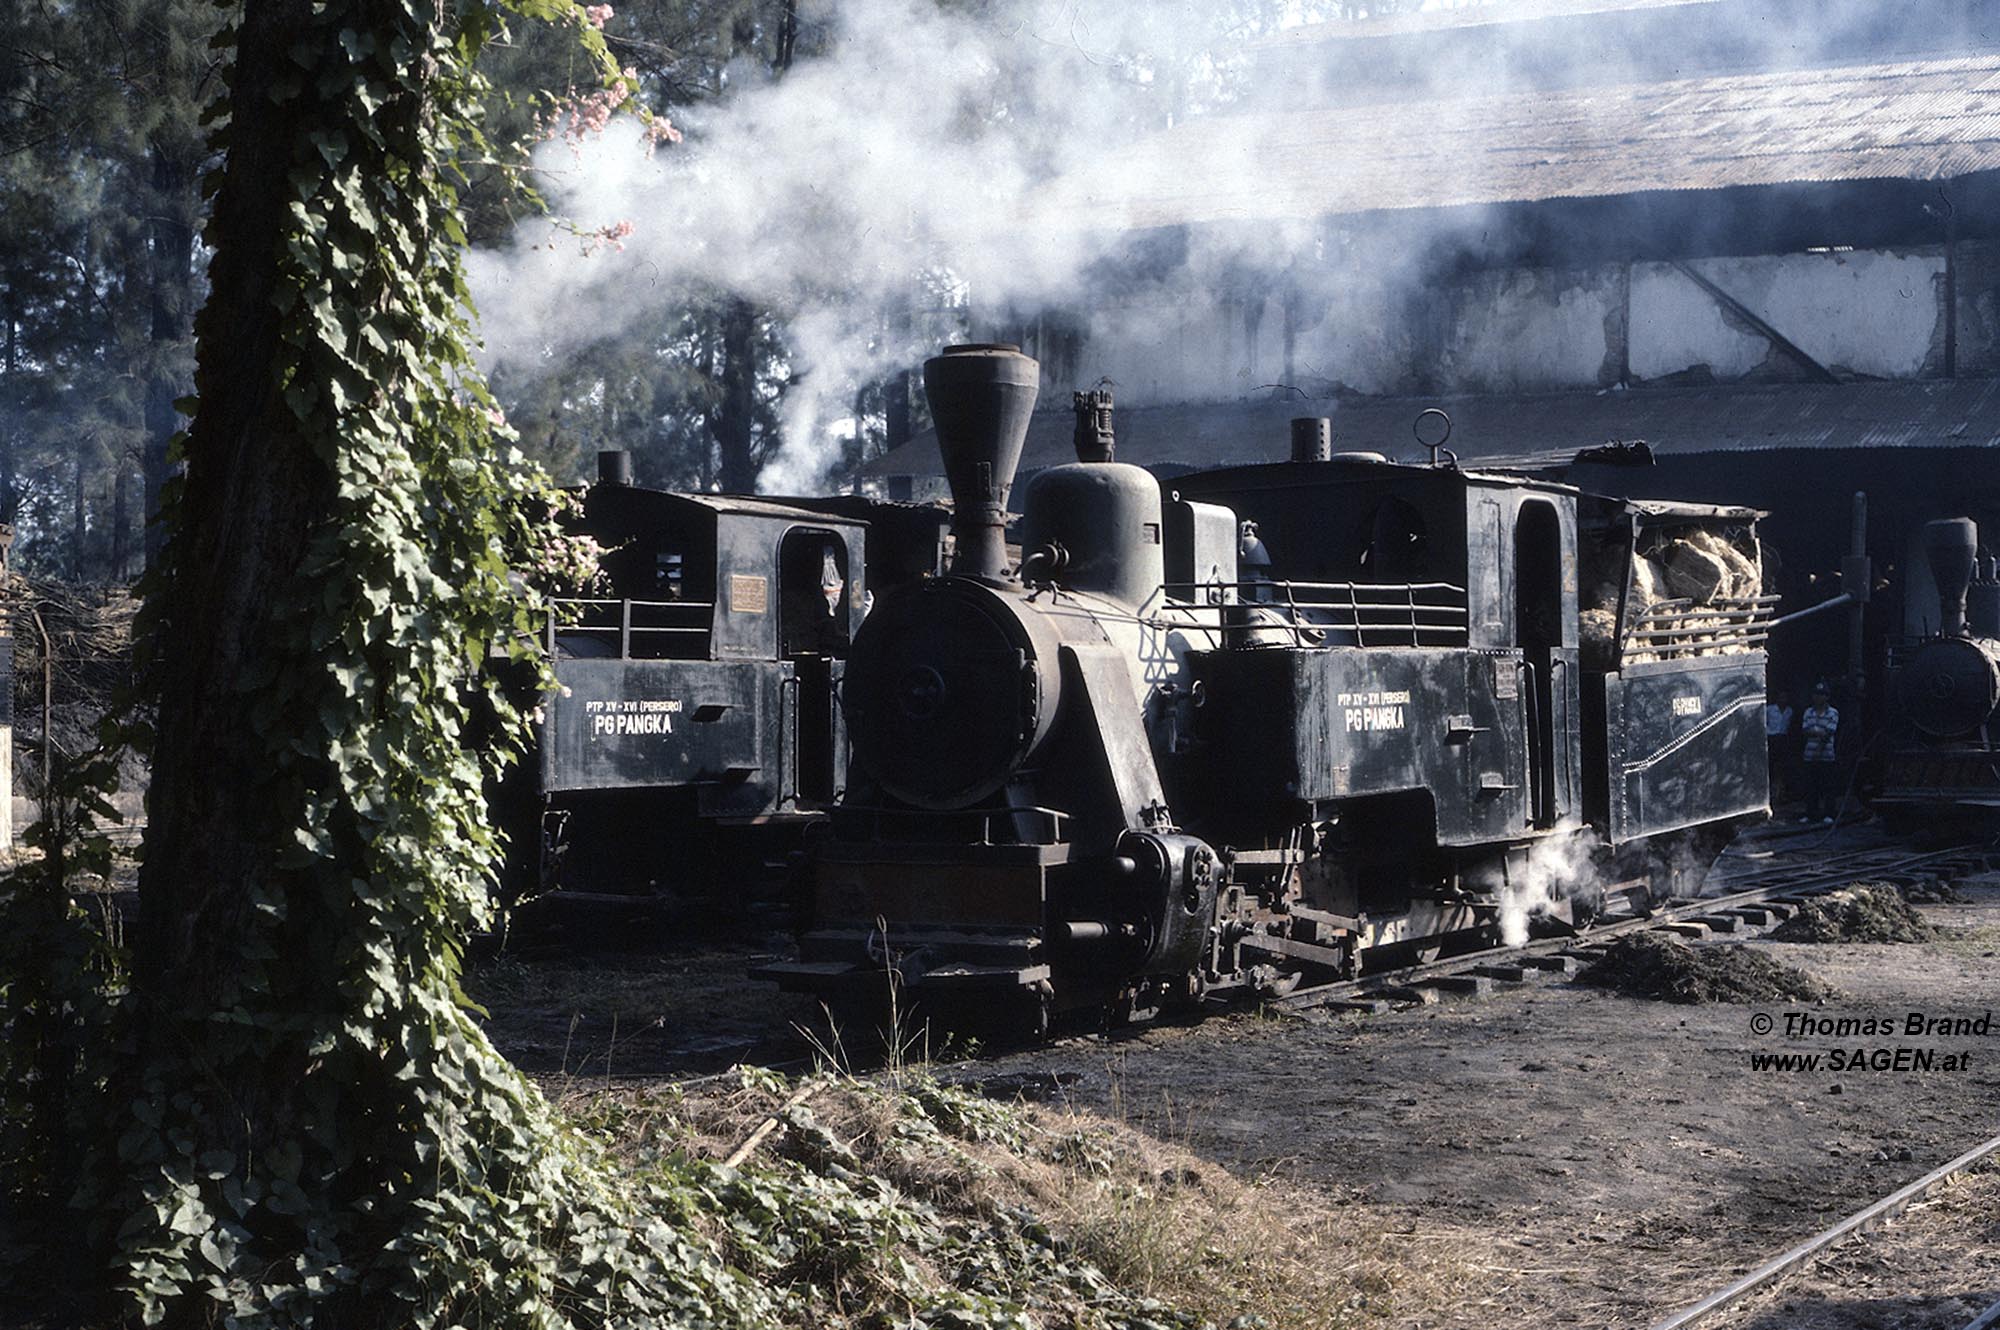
(1279, 723)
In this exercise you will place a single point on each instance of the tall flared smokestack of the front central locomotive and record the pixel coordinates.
(981, 399)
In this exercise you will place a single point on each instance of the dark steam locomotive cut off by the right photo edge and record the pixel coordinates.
(1943, 743)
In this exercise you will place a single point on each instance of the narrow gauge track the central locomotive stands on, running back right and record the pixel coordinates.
(1777, 895)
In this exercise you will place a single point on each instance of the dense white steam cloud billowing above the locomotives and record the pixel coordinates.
(907, 159)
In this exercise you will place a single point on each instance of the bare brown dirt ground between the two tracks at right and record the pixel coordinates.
(1625, 1151)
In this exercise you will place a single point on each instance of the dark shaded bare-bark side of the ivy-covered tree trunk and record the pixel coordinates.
(251, 501)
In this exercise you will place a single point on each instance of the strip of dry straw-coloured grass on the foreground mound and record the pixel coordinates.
(1157, 1221)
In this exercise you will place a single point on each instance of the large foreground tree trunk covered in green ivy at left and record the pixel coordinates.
(319, 1131)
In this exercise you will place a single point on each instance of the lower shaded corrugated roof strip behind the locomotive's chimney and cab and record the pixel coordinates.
(1535, 429)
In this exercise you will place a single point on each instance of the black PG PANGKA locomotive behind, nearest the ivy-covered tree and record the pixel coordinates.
(695, 729)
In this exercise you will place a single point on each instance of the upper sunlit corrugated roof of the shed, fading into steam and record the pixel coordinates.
(1903, 121)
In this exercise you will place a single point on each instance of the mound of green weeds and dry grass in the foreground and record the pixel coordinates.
(917, 1203)
